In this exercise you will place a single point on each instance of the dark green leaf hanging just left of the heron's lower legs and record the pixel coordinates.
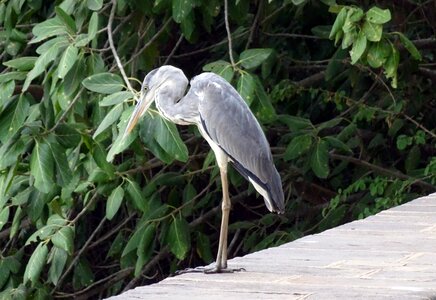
(179, 238)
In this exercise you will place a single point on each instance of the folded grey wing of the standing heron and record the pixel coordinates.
(228, 121)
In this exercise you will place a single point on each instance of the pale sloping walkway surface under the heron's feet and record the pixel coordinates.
(391, 255)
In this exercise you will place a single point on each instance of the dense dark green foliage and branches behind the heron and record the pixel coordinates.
(345, 93)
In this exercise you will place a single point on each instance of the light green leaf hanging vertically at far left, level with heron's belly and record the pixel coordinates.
(41, 167)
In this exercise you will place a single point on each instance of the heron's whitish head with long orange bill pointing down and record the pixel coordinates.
(153, 81)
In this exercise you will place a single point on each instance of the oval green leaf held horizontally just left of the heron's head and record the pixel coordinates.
(104, 83)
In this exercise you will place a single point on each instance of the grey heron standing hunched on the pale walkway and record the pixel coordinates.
(228, 125)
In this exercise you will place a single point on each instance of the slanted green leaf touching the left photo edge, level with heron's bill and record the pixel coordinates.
(13, 117)
